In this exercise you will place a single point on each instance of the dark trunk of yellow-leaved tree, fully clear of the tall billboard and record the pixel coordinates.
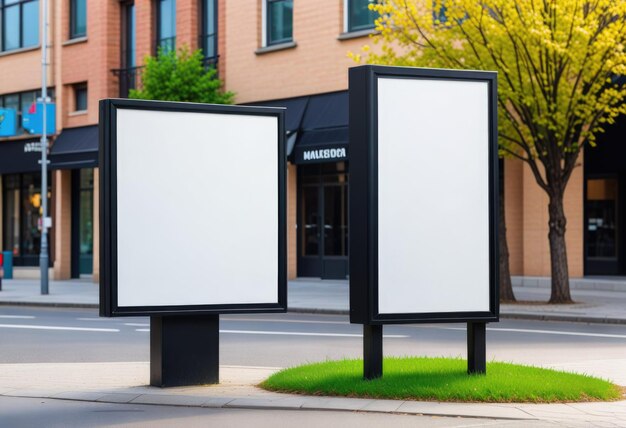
(558, 252)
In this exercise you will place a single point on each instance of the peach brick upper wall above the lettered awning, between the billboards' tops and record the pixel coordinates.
(318, 63)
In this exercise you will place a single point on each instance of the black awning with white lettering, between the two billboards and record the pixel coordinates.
(322, 145)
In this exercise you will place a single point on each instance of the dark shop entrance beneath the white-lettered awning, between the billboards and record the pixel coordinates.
(323, 221)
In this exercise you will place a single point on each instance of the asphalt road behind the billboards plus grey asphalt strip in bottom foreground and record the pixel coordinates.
(40, 335)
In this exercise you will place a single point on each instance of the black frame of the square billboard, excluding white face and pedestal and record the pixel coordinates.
(108, 212)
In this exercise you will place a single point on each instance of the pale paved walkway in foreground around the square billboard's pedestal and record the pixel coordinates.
(95, 382)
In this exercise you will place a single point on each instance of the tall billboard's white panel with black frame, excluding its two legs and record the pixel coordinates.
(423, 195)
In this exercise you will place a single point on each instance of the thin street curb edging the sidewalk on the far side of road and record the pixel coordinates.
(319, 311)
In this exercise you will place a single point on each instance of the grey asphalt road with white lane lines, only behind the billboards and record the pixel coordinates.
(281, 340)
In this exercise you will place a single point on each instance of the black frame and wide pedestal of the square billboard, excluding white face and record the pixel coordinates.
(184, 339)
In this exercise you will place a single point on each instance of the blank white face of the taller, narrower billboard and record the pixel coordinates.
(433, 195)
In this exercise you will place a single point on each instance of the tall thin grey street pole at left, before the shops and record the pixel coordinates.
(43, 256)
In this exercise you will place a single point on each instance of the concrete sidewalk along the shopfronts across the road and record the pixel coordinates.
(604, 303)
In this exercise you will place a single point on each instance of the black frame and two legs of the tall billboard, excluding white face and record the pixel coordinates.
(363, 137)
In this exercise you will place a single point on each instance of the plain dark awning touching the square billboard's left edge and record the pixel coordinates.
(75, 148)
